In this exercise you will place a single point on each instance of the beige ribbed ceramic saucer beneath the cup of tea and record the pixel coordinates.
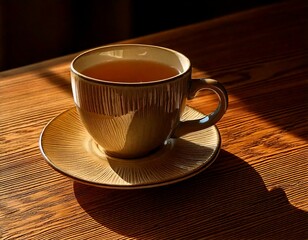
(69, 149)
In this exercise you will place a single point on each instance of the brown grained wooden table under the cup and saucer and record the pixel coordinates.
(256, 189)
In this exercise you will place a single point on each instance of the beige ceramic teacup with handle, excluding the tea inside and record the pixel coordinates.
(131, 119)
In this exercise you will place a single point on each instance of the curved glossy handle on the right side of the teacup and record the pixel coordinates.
(209, 120)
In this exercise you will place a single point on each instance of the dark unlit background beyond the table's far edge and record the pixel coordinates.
(36, 30)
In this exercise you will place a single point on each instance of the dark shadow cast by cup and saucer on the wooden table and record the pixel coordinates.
(227, 201)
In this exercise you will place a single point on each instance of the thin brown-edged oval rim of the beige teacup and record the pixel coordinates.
(96, 80)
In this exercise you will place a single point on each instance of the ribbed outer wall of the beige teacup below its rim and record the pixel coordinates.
(130, 120)
